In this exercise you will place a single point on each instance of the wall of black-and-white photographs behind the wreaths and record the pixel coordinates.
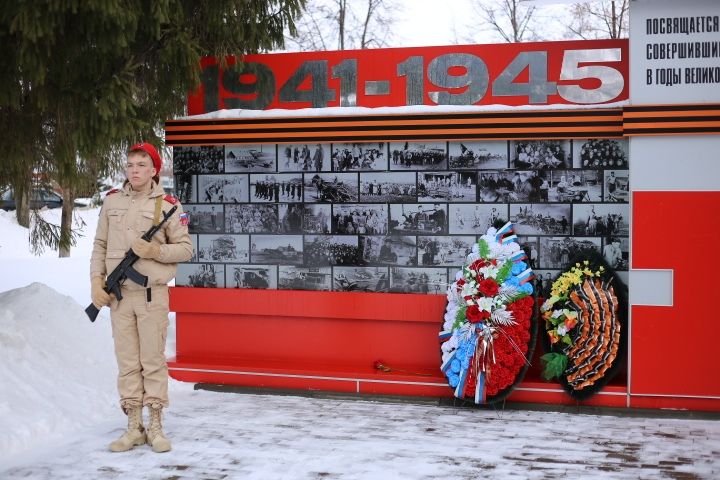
(395, 216)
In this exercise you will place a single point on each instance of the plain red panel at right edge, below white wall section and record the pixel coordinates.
(674, 356)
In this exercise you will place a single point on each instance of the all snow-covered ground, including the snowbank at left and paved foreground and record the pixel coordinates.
(58, 412)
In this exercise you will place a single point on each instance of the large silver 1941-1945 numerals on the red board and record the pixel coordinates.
(448, 79)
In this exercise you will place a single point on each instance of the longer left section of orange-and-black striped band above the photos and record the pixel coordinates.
(494, 125)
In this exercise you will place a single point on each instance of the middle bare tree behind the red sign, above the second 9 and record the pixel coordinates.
(512, 20)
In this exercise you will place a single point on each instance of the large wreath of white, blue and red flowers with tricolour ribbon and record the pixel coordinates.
(487, 325)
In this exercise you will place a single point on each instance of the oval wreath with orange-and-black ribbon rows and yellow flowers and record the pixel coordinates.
(585, 326)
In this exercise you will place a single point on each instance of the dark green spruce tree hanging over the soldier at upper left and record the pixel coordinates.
(82, 80)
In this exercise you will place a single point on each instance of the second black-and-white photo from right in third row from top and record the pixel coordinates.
(540, 219)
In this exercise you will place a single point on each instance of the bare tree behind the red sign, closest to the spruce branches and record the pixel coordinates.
(344, 24)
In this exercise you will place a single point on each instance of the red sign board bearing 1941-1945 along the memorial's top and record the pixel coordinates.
(543, 73)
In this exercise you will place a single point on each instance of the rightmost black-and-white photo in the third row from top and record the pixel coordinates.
(602, 219)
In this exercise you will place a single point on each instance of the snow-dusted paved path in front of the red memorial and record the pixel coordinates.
(229, 436)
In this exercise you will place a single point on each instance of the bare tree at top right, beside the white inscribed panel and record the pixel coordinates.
(593, 20)
